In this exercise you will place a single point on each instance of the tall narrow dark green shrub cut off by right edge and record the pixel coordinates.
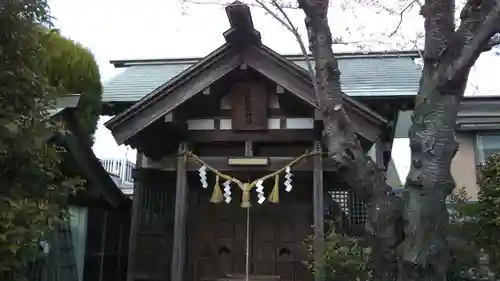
(488, 210)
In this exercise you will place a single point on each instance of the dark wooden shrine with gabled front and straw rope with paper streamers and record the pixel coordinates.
(240, 113)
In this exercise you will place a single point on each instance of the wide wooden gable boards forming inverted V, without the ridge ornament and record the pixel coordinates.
(169, 96)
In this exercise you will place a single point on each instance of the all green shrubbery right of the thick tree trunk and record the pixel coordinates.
(474, 225)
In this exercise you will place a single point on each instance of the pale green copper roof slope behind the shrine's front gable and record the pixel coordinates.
(362, 75)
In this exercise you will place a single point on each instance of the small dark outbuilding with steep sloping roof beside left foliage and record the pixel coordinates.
(92, 244)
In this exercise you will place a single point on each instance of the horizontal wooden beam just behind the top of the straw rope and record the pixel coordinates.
(222, 164)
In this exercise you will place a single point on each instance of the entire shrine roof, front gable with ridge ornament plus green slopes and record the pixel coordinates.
(243, 46)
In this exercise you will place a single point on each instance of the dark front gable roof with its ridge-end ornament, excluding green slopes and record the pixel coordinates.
(242, 46)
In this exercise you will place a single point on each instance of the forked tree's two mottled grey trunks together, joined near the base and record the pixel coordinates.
(449, 55)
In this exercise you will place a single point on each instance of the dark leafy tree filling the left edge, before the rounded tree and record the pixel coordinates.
(33, 193)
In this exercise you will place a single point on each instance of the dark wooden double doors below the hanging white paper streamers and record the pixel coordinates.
(277, 233)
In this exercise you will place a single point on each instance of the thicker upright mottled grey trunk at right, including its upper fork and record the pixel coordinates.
(448, 58)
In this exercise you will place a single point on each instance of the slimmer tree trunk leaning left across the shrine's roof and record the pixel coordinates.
(358, 170)
